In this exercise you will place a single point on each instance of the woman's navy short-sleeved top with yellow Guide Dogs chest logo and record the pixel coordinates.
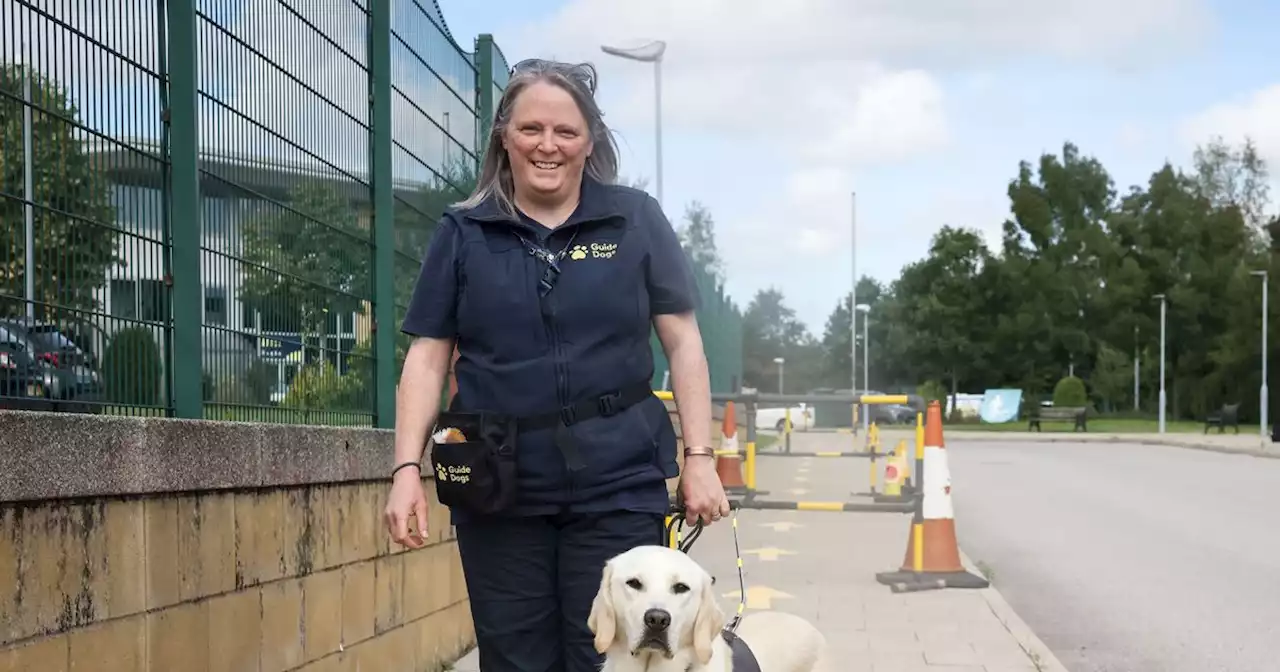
(524, 354)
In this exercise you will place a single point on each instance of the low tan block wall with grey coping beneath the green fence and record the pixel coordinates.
(134, 545)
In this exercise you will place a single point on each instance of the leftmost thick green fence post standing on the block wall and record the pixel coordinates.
(185, 356)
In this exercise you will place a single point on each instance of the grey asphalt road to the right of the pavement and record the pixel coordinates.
(1130, 559)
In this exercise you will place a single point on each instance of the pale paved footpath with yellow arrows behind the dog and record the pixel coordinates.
(824, 565)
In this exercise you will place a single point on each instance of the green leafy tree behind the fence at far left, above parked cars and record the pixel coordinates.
(74, 218)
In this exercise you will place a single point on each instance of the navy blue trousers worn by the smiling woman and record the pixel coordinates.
(532, 582)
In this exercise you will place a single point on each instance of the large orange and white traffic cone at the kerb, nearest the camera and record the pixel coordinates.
(932, 554)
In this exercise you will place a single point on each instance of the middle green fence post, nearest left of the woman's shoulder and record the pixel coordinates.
(385, 212)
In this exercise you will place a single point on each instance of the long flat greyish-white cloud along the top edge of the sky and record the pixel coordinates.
(746, 33)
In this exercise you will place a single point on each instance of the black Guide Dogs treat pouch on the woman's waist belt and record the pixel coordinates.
(478, 474)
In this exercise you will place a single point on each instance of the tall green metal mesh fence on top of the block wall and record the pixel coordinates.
(218, 208)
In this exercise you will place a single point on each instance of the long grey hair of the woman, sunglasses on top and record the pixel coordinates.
(579, 80)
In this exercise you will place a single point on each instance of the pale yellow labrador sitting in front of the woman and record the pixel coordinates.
(656, 611)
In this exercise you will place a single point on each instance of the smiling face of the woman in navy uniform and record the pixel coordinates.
(547, 141)
